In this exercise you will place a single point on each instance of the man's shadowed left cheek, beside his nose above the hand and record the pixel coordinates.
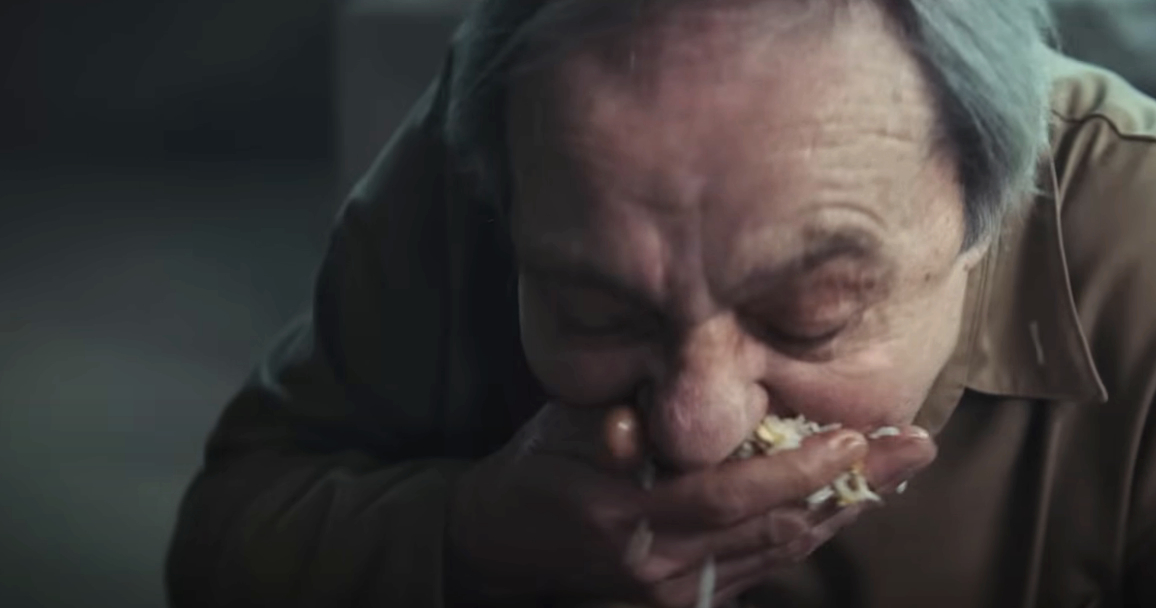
(572, 374)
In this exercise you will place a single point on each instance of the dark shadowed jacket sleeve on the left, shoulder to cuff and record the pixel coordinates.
(327, 481)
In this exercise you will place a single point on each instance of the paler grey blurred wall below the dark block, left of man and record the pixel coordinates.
(136, 299)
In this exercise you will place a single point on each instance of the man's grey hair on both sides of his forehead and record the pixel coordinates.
(985, 62)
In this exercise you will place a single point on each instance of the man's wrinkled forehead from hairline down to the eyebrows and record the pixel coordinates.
(683, 135)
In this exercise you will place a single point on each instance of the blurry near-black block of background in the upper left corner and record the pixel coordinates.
(147, 78)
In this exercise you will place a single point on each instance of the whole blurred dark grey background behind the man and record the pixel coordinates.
(168, 174)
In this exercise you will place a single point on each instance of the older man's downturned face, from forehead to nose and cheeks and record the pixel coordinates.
(718, 227)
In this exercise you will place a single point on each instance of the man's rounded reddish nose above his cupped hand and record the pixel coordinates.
(707, 398)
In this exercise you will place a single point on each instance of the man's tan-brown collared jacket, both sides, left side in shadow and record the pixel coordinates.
(327, 480)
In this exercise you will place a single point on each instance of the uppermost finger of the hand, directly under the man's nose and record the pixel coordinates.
(738, 491)
